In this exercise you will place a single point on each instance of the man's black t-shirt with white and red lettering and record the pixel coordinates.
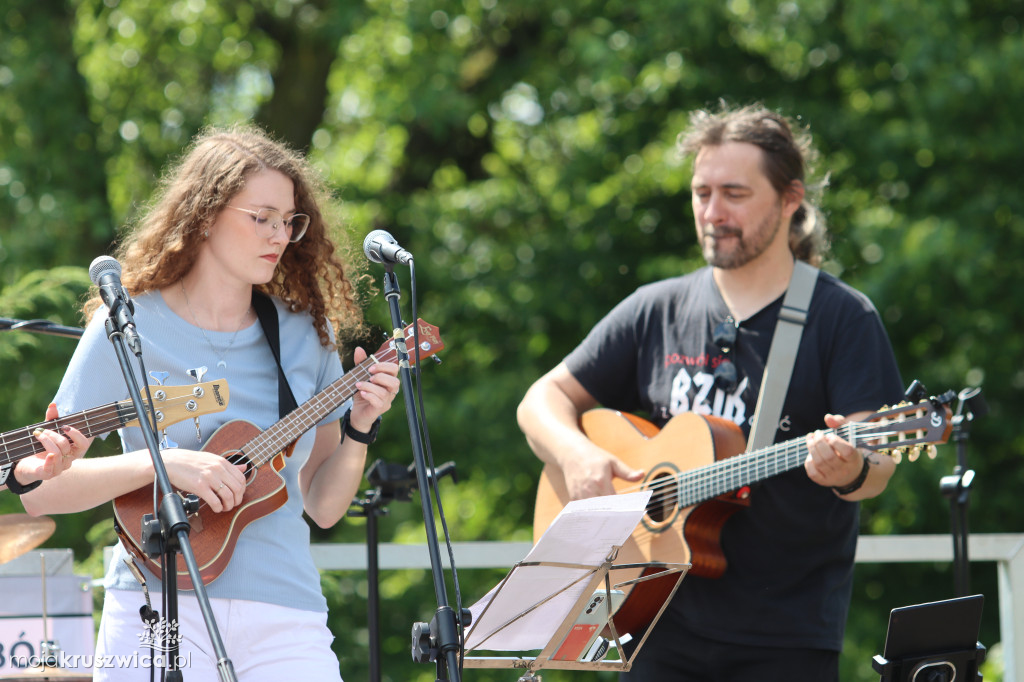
(791, 553)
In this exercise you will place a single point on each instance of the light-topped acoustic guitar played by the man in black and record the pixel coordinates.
(700, 477)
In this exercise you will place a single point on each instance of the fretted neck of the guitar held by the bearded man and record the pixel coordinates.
(733, 474)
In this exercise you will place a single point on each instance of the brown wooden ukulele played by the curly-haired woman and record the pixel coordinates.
(215, 535)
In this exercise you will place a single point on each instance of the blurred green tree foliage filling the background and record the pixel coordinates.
(525, 152)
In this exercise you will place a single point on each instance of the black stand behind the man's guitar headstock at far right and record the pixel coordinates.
(957, 487)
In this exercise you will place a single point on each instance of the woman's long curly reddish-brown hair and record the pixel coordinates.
(159, 249)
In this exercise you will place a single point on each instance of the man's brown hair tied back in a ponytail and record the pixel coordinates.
(789, 156)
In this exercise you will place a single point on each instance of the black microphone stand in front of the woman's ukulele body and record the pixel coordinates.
(173, 534)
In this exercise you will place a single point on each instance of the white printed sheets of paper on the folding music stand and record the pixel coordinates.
(584, 534)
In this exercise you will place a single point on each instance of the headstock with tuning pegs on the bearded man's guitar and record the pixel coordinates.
(906, 429)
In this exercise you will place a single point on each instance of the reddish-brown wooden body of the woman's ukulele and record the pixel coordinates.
(214, 535)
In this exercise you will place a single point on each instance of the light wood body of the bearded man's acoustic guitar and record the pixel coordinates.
(668, 532)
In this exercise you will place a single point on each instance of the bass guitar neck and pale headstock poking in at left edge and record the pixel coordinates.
(173, 405)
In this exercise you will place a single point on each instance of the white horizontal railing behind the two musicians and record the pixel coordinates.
(1006, 549)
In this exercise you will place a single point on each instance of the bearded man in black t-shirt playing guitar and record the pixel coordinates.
(780, 610)
